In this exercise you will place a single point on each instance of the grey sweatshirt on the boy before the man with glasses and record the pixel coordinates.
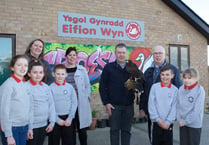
(162, 103)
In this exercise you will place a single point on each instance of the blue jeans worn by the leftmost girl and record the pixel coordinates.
(19, 133)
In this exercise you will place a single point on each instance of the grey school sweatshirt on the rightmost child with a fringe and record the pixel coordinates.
(190, 106)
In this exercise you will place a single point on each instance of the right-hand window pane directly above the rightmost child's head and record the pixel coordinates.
(184, 58)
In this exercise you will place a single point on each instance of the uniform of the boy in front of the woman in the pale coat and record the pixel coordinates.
(65, 99)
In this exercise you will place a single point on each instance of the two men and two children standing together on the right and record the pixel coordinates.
(164, 100)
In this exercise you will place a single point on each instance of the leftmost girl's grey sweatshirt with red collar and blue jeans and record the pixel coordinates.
(16, 110)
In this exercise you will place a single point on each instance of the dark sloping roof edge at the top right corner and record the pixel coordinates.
(190, 16)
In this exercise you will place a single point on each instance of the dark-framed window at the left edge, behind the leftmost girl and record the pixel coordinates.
(7, 47)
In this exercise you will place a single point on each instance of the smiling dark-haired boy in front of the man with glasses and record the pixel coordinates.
(162, 108)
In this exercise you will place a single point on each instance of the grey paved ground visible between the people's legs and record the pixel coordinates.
(100, 136)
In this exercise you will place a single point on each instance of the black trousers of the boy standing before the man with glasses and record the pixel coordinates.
(161, 136)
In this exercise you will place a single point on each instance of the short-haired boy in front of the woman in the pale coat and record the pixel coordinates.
(65, 104)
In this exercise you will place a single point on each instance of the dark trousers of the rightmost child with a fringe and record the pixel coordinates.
(190, 136)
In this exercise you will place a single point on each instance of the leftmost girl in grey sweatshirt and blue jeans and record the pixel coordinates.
(16, 104)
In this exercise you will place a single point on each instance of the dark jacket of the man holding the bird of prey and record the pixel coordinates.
(112, 88)
